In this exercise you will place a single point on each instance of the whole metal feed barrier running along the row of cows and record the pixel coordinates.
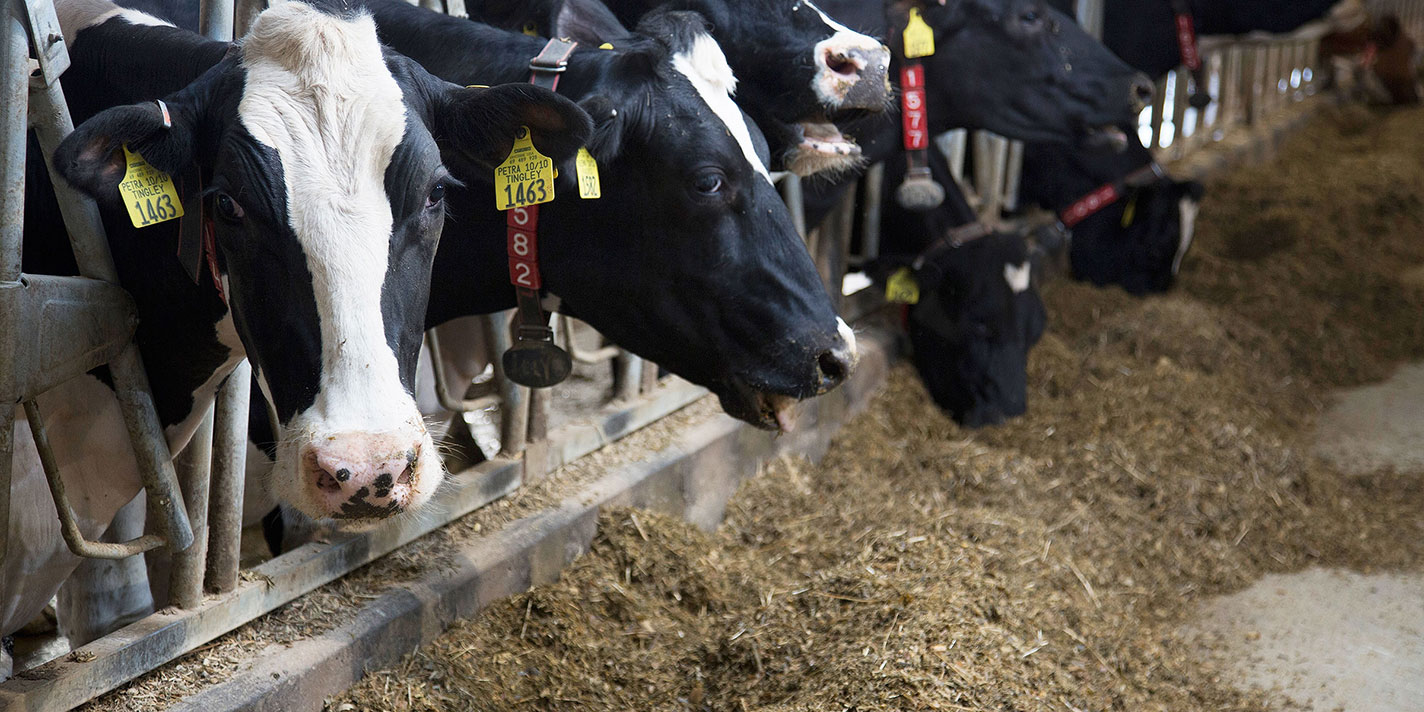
(58, 328)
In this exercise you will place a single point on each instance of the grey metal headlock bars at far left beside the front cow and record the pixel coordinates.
(78, 324)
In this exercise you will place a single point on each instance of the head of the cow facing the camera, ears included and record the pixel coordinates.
(325, 183)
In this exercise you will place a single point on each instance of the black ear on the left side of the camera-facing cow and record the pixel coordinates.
(92, 157)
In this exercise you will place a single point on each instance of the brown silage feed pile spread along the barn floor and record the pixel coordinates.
(1045, 565)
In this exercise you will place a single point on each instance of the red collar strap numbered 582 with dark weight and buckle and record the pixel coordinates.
(535, 361)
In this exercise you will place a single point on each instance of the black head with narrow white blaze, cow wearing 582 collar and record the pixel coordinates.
(690, 258)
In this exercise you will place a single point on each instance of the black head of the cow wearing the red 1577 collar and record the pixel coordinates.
(1025, 70)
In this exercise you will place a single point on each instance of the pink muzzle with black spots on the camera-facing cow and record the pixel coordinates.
(355, 478)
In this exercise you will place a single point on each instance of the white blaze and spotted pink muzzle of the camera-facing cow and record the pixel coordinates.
(318, 92)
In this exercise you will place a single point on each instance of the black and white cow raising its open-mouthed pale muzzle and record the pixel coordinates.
(798, 68)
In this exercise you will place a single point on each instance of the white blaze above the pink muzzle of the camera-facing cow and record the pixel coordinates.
(320, 93)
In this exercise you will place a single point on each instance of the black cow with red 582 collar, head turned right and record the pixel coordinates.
(690, 258)
